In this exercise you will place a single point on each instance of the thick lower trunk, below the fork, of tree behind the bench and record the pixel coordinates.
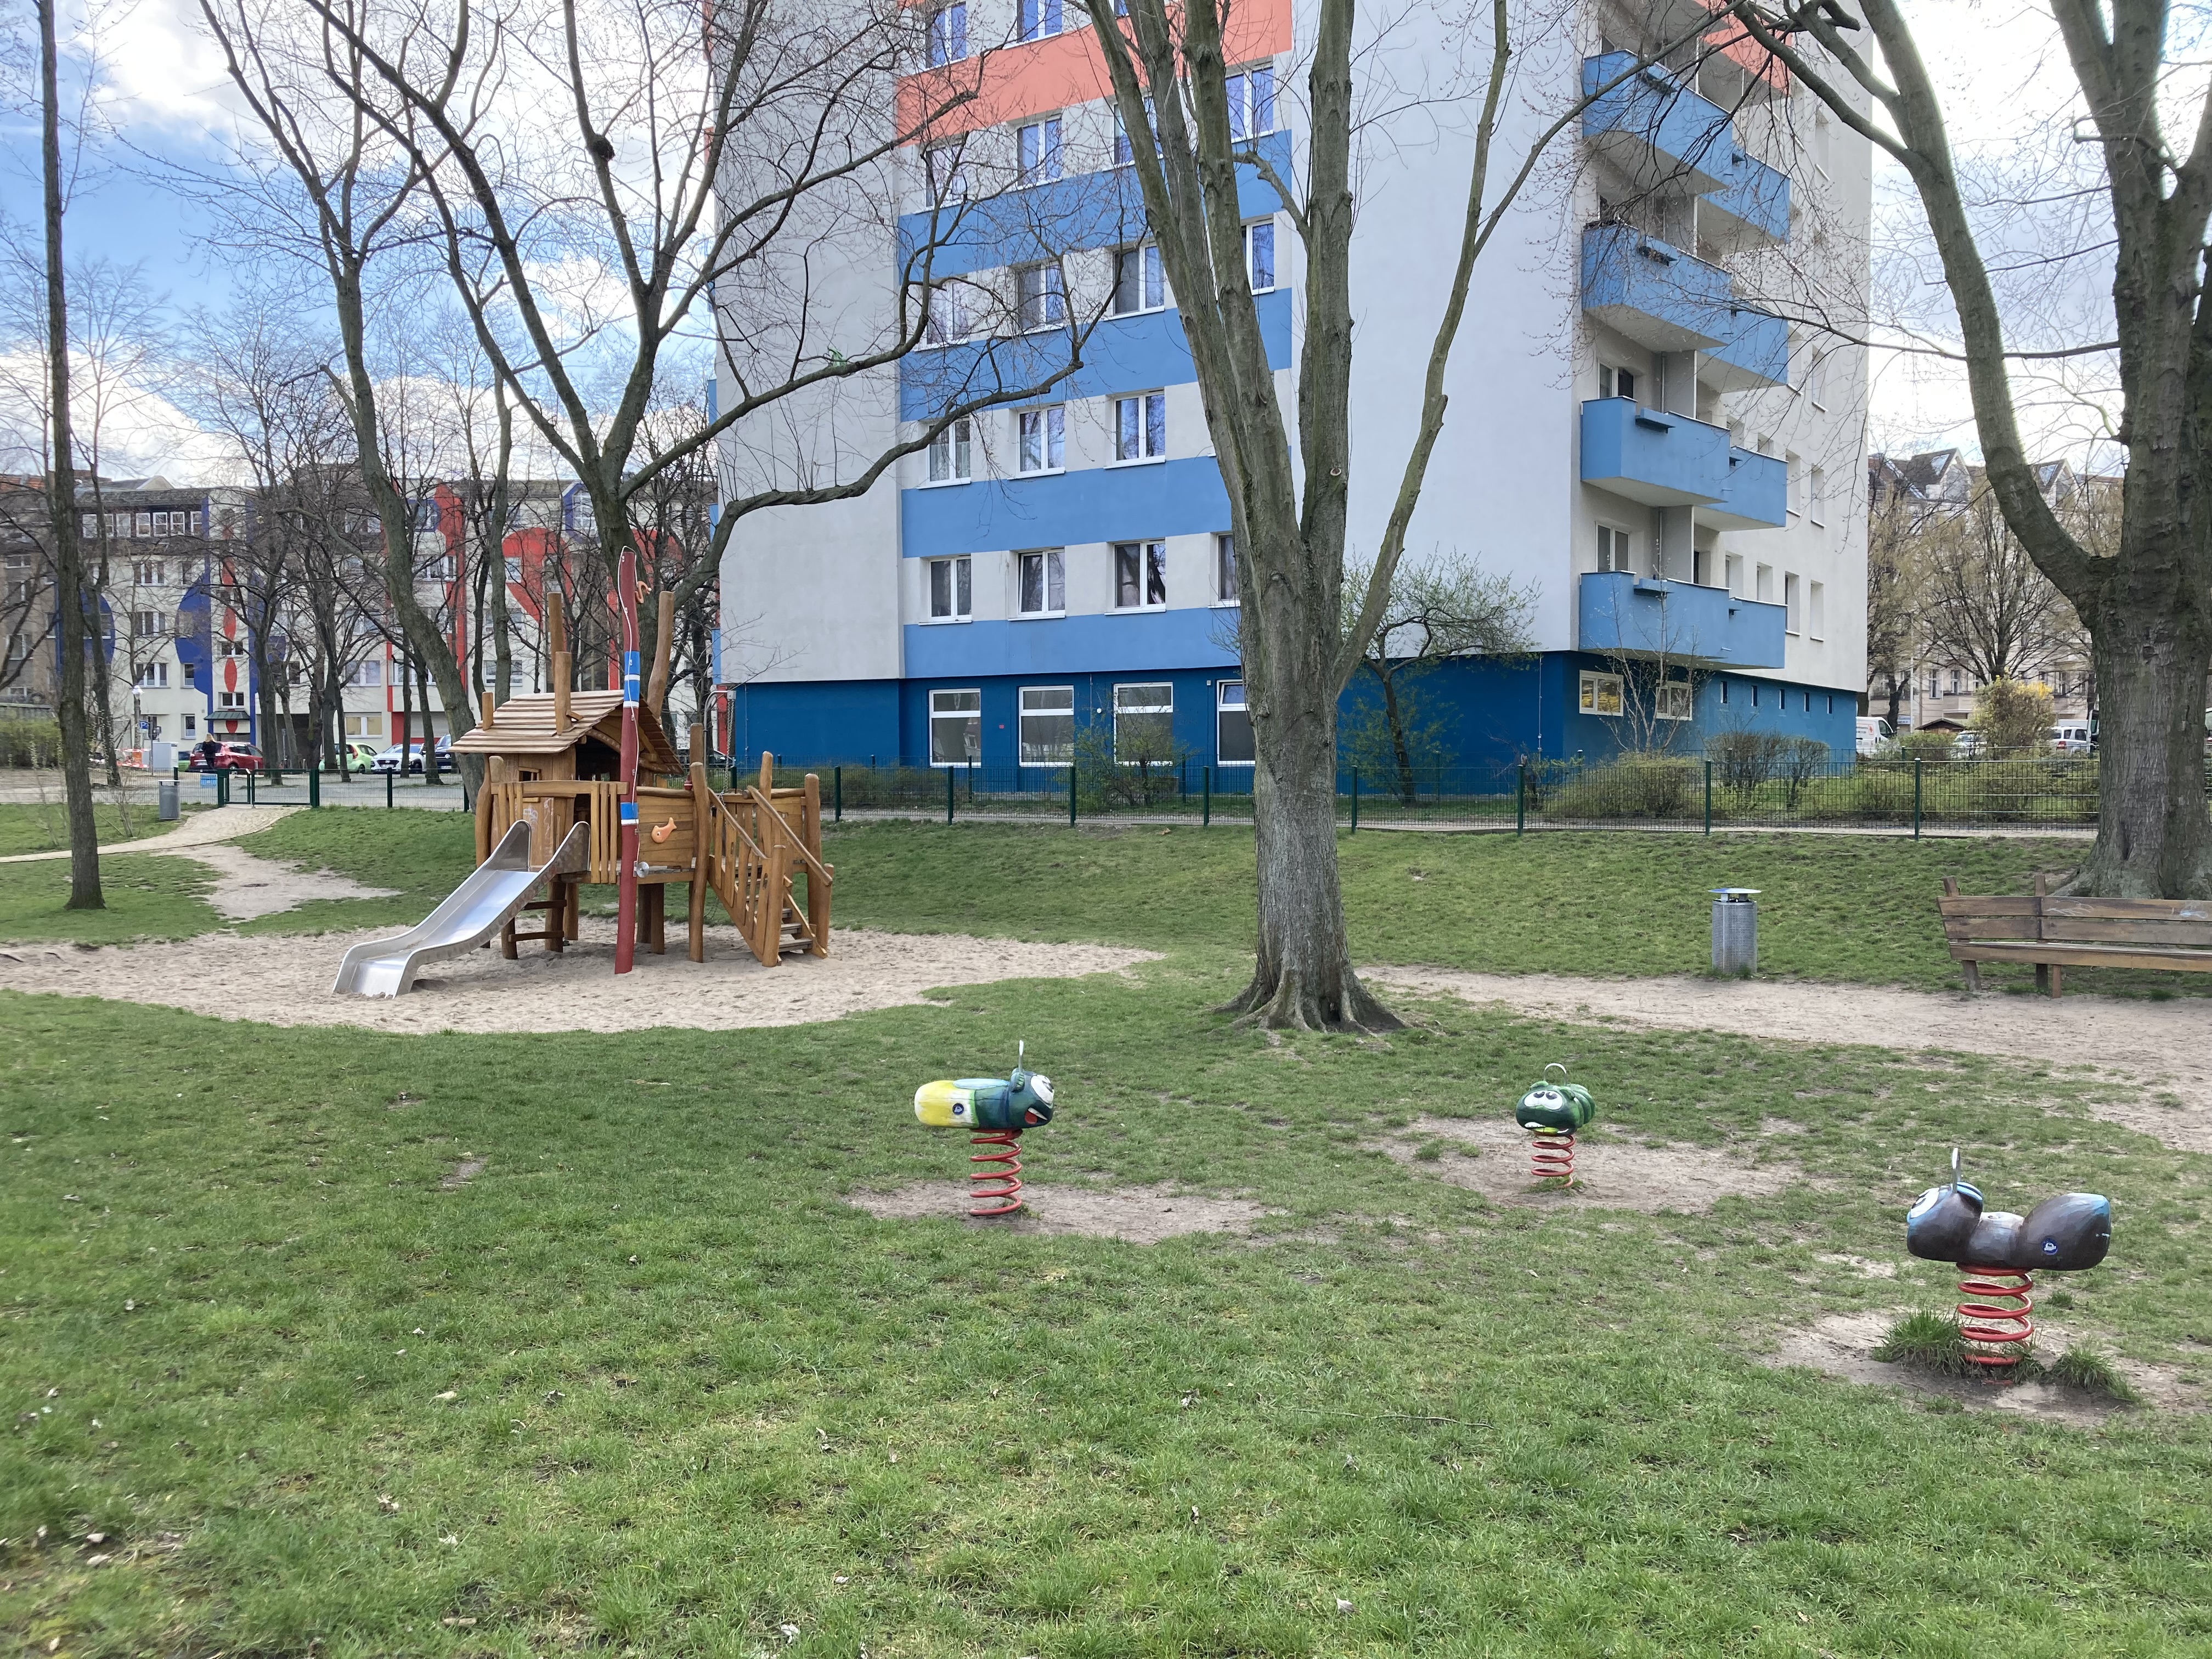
(2153, 833)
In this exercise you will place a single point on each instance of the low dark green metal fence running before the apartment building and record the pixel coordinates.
(1634, 793)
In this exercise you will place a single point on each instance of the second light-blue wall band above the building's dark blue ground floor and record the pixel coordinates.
(1094, 505)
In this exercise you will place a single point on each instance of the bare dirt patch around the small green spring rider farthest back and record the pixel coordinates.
(1616, 1173)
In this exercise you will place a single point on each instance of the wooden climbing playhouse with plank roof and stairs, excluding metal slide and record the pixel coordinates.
(556, 762)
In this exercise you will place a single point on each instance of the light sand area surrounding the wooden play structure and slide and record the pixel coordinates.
(286, 981)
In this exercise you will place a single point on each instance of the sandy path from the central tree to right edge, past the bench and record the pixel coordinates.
(2153, 1050)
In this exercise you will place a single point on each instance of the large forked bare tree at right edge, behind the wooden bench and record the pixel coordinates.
(2147, 607)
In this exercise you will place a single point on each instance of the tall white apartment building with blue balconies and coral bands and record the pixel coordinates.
(1634, 432)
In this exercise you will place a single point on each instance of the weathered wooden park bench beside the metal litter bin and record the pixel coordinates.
(2076, 932)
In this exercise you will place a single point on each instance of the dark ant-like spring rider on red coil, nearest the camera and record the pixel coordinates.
(1996, 1251)
